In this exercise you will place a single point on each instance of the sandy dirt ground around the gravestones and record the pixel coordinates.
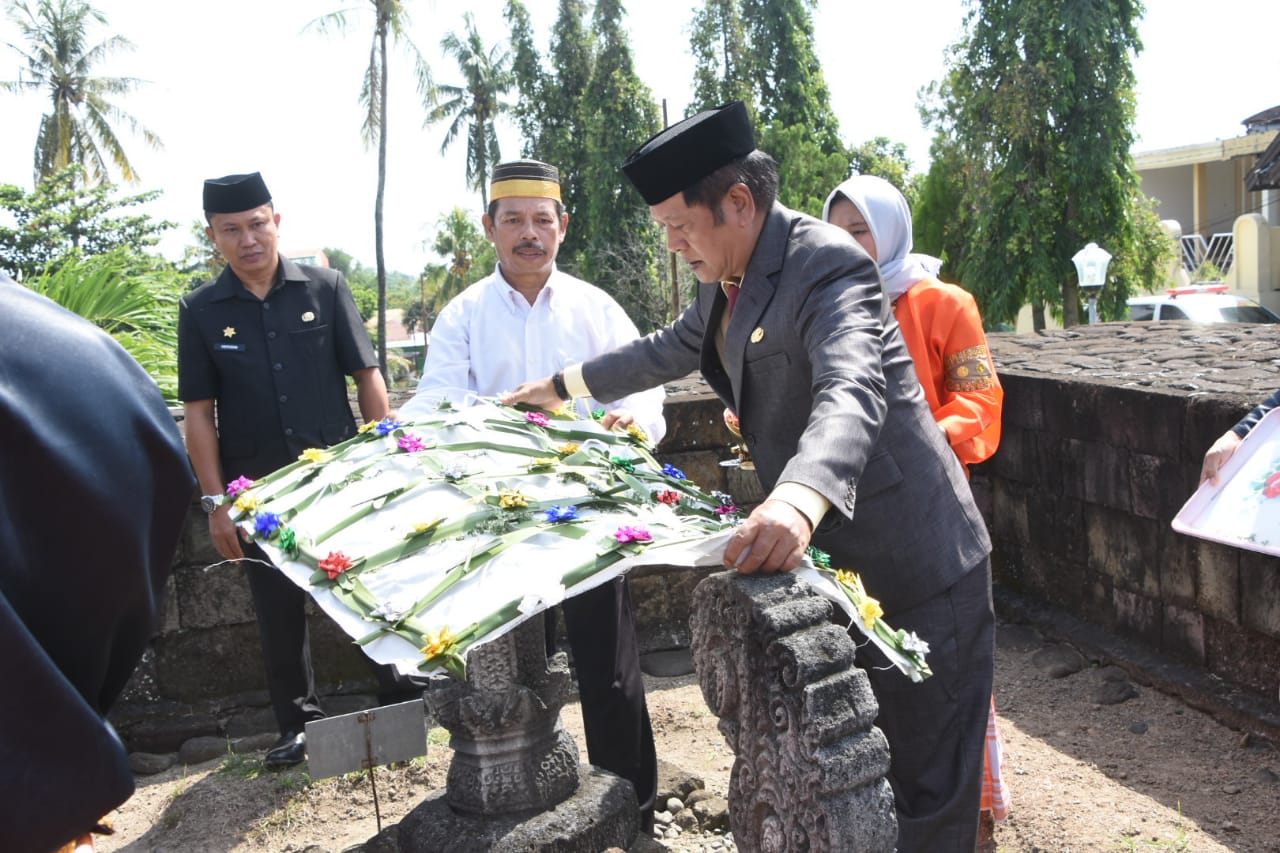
(1146, 774)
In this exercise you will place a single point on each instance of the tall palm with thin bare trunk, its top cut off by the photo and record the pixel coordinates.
(391, 22)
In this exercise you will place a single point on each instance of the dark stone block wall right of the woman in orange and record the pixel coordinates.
(1104, 434)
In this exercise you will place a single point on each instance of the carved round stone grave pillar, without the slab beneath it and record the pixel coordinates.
(510, 751)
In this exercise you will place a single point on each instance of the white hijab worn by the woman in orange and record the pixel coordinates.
(890, 221)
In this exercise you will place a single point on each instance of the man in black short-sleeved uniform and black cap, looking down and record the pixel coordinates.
(268, 345)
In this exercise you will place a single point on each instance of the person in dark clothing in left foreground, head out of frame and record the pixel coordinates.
(94, 489)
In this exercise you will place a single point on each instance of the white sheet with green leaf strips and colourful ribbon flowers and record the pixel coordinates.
(423, 540)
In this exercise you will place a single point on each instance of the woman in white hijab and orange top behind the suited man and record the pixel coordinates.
(944, 334)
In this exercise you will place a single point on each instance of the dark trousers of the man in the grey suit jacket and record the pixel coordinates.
(938, 729)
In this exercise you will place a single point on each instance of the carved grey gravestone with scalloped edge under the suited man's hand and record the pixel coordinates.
(810, 770)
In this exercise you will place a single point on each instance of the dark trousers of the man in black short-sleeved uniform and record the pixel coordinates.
(282, 624)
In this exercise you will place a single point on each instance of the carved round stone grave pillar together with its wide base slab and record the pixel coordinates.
(515, 784)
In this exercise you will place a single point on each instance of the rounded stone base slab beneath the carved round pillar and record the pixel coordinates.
(601, 815)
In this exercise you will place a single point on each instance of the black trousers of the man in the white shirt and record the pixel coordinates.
(615, 715)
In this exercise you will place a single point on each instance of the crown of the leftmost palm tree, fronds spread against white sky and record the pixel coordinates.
(58, 61)
